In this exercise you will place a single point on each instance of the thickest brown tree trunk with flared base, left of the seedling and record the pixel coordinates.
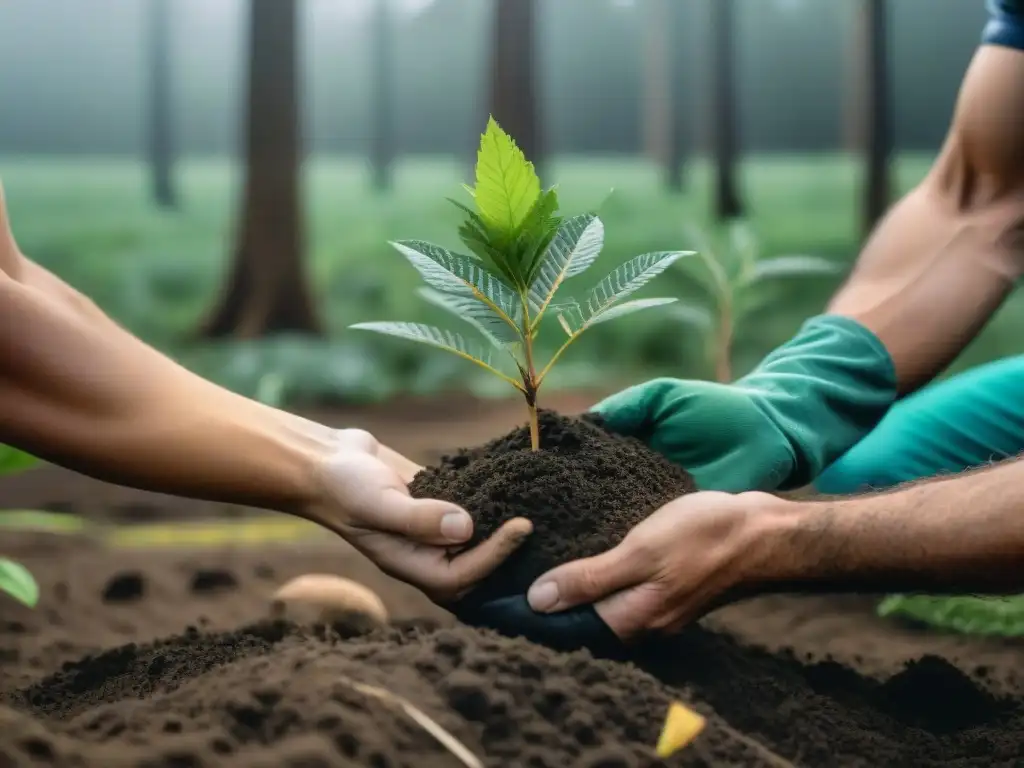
(267, 291)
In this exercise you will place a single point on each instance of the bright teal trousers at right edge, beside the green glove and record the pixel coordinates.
(966, 421)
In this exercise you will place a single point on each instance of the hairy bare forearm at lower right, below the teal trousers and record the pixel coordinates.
(964, 534)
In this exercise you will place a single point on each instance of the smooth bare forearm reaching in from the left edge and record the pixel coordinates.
(82, 393)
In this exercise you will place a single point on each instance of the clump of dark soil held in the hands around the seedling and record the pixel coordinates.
(584, 491)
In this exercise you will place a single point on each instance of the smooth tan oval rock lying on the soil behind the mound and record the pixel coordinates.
(321, 599)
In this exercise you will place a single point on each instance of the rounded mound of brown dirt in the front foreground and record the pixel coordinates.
(273, 696)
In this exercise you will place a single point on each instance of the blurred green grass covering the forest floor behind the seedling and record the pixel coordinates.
(91, 221)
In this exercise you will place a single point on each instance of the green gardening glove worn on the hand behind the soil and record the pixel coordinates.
(805, 406)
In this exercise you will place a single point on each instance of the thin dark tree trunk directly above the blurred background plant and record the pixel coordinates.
(728, 202)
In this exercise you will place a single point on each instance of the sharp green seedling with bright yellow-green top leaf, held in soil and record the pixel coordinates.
(521, 253)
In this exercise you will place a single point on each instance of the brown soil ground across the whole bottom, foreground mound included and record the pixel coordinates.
(168, 680)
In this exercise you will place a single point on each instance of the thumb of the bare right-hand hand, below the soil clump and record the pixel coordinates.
(586, 581)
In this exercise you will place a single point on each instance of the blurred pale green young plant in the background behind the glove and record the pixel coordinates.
(734, 274)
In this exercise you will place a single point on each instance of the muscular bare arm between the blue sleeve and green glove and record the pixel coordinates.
(943, 262)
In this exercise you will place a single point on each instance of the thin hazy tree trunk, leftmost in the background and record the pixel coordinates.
(161, 144)
